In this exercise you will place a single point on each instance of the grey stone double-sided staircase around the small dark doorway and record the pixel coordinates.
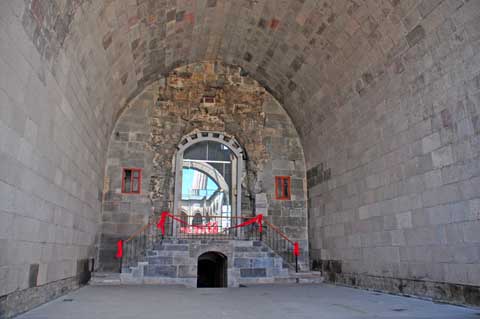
(175, 261)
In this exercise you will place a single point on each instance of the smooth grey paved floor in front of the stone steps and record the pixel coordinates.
(281, 301)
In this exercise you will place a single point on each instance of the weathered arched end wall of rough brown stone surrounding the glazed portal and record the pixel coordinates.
(148, 132)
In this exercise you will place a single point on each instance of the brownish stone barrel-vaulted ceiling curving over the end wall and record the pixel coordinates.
(313, 55)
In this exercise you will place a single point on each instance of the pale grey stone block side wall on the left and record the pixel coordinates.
(51, 167)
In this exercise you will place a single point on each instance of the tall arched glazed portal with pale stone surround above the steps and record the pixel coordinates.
(208, 177)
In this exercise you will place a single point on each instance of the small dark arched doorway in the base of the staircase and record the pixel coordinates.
(212, 270)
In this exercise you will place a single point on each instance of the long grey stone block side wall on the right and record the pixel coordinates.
(399, 209)
